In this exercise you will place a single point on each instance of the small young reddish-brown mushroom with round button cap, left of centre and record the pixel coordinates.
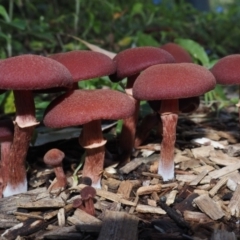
(54, 158)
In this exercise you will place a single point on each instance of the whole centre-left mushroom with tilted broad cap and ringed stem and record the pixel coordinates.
(87, 108)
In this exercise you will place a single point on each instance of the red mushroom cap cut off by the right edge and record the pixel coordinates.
(227, 70)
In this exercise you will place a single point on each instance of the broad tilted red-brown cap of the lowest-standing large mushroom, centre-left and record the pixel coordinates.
(82, 106)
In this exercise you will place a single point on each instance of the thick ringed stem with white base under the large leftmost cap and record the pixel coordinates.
(15, 173)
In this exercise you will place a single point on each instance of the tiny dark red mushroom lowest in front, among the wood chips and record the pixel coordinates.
(88, 194)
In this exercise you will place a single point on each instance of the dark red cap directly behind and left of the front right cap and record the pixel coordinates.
(134, 60)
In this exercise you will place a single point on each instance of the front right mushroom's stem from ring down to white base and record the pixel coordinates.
(166, 163)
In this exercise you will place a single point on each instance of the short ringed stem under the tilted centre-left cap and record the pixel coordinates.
(92, 140)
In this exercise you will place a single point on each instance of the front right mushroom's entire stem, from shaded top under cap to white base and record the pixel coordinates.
(169, 117)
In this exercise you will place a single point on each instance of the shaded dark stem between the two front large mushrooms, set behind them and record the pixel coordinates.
(127, 135)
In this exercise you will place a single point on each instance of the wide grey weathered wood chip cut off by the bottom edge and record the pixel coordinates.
(119, 225)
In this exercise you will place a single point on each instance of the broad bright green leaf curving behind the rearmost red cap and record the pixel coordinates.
(195, 49)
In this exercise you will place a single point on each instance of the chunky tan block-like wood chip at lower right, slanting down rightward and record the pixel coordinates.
(208, 206)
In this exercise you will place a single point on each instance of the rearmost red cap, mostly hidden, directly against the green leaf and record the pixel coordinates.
(179, 53)
